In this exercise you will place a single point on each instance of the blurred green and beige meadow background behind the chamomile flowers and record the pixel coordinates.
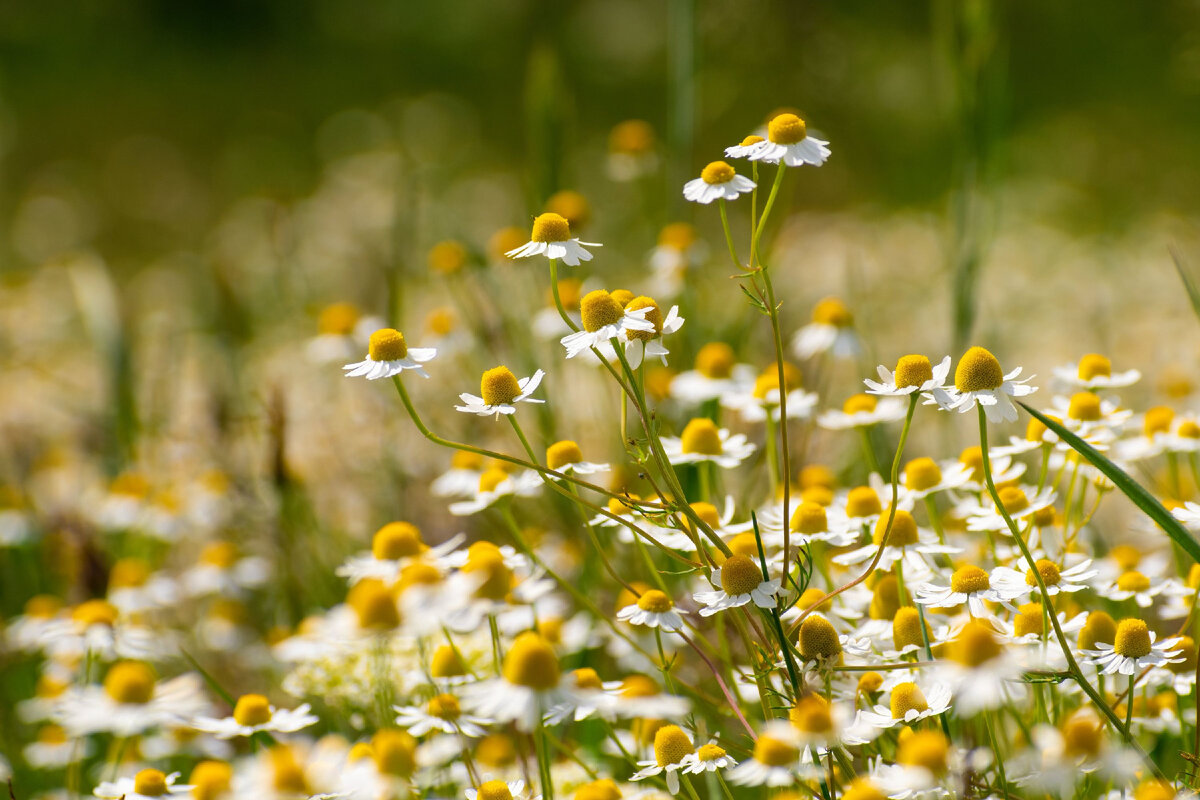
(207, 208)
